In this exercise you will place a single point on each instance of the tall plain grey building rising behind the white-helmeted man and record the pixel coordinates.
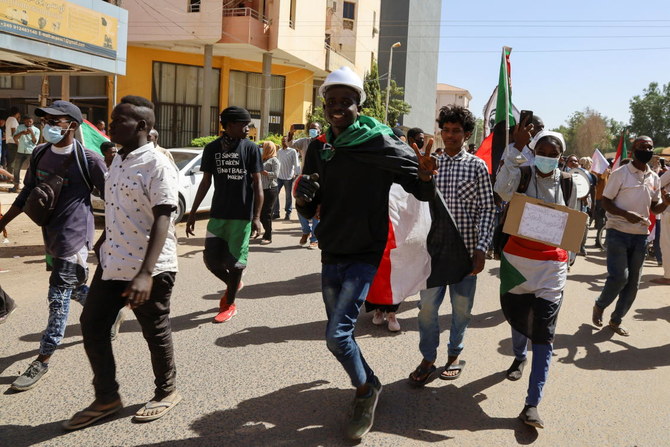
(416, 25)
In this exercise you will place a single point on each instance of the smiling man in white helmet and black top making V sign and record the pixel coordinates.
(348, 172)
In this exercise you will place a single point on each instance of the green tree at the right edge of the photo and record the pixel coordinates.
(650, 114)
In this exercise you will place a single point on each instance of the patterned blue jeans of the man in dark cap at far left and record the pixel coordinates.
(67, 281)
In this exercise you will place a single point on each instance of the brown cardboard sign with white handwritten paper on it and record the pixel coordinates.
(551, 224)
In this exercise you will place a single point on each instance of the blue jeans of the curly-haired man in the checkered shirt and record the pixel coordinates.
(462, 296)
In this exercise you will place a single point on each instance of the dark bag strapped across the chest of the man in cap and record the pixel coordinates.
(42, 200)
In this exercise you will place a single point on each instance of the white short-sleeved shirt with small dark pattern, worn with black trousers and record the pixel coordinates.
(135, 185)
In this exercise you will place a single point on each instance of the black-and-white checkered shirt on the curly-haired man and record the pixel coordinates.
(464, 182)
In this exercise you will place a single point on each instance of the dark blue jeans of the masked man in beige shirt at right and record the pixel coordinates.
(625, 256)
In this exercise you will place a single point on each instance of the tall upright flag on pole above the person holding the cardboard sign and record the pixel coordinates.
(504, 111)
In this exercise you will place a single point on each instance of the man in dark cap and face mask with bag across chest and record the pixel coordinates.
(68, 236)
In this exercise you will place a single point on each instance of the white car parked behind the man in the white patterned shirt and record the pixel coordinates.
(188, 162)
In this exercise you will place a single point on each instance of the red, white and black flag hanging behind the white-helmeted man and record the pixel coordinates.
(424, 249)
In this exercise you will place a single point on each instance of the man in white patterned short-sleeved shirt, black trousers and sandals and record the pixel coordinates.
(138, 265)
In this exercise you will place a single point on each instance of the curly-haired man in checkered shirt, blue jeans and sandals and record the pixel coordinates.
(463, 180)
